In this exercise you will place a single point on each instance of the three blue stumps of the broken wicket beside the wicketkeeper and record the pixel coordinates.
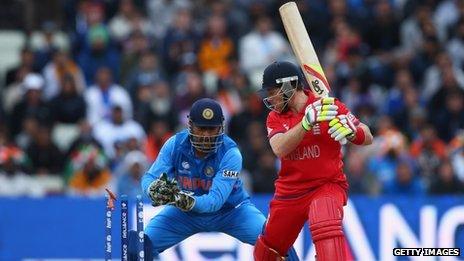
(124, 227)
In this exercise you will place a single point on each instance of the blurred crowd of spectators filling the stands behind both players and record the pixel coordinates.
(94, 98)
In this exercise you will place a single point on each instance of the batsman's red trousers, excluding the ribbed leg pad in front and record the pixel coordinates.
(287, 216)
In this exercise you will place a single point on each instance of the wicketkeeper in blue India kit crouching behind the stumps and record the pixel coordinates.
(197, 176)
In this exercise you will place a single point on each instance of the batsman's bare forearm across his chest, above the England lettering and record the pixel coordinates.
(284, 143)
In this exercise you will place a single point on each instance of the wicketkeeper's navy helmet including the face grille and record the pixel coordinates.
(206, 113)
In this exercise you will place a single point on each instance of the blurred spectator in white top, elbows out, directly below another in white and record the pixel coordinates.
(117, 129)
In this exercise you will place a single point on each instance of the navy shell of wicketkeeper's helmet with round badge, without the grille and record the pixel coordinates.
(206, 112)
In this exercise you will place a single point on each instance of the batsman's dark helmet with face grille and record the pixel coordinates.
(285, 76)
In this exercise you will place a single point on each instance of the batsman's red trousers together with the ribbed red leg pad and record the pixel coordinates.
(322, 207)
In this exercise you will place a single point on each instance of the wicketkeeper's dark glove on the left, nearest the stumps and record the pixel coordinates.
(162, 191)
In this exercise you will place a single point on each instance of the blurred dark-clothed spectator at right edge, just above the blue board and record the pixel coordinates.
(446, 181)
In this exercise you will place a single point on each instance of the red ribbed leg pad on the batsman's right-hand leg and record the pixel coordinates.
(325, 223)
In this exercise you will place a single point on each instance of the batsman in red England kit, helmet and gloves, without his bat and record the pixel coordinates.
(305, 133)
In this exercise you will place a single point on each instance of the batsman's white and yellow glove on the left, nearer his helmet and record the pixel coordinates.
(321, 110)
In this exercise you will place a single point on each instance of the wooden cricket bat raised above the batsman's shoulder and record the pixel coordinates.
(303, 49)
